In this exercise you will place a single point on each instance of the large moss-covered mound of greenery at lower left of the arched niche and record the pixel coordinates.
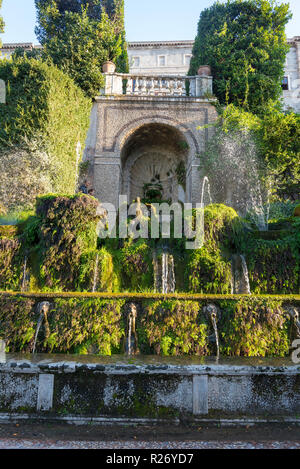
(67, 233)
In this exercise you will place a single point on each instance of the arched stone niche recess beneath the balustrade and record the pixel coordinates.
(155, 157)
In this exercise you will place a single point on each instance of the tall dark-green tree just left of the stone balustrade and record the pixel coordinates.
(79, 35)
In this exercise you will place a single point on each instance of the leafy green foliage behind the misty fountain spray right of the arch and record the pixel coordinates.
(251, 151)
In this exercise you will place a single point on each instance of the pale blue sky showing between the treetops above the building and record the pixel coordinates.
(145, 21)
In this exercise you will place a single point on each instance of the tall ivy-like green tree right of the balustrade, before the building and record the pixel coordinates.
(244, 42)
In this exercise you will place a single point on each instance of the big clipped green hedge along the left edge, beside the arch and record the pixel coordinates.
(45, 117)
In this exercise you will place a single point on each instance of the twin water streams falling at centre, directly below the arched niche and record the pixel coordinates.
(164, 273)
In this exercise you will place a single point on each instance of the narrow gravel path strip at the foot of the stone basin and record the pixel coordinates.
(136, 445)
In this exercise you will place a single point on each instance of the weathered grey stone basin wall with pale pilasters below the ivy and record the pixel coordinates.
(95, 392)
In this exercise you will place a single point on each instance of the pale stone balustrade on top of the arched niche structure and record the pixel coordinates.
(118, 84)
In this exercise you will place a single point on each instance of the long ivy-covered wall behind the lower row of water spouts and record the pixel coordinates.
(248, 327)
